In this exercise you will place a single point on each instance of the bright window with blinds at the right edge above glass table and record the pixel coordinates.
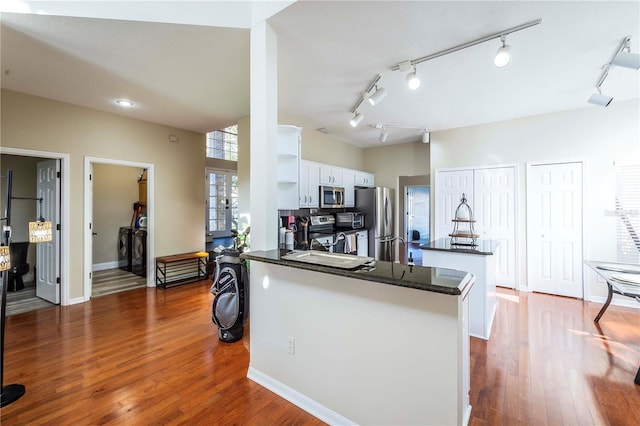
(628, 212)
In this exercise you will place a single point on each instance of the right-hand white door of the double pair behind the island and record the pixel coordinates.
(494, 210)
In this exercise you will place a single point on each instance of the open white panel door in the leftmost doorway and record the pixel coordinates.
(48, 253)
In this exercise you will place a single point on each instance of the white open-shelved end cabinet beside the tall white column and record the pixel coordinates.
(289, 138)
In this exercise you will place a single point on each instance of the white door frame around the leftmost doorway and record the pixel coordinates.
(65, 187)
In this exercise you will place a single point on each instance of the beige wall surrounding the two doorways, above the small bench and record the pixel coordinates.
(30, 122)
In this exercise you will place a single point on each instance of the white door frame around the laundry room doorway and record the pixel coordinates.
(88, 219)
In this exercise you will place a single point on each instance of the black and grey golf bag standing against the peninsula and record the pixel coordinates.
(230, 308)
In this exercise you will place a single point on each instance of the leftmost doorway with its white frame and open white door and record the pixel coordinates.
(56, 258)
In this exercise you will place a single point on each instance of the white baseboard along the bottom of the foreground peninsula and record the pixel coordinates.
(293, 396)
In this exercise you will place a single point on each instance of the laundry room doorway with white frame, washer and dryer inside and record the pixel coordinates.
(141, 234)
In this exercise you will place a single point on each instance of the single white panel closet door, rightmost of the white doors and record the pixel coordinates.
(554, 229)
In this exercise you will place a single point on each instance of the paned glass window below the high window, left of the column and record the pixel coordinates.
(222, 202)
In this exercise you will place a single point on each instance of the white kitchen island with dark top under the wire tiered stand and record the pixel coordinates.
(478, 260)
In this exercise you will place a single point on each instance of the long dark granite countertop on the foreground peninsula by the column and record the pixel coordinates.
(438, 280)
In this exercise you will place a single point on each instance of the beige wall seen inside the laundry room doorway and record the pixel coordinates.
(115, 189)
